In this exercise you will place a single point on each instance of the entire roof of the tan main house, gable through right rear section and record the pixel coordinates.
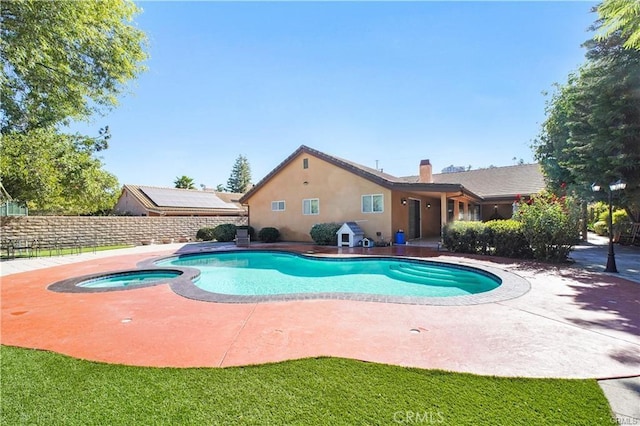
(492, 183)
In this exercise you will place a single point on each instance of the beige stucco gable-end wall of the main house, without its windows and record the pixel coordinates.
(340, 194)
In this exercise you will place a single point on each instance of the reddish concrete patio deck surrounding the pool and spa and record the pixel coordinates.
(572, 323)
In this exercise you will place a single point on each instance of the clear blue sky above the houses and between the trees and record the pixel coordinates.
(456, 82)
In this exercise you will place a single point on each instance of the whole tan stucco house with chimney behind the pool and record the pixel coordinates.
(311, 187)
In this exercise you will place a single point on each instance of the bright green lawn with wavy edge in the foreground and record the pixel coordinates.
(46, 388)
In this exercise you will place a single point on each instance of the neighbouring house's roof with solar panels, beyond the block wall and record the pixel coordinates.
(177, 201)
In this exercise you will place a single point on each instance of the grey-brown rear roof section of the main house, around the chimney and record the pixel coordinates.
(495, 182)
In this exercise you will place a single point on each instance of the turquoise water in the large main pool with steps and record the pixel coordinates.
(272, 273)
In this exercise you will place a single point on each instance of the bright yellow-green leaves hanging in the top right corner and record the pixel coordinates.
(623, 17)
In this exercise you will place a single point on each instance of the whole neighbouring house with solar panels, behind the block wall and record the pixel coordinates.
(138, 200)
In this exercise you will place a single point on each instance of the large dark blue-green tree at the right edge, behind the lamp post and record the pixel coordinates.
(592, 130)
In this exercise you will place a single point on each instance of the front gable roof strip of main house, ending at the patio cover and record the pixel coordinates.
(383, 179)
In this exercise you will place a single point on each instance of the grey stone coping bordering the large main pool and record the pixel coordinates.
(512, 285)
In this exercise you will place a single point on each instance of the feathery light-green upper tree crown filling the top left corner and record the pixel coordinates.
(64, 60)
